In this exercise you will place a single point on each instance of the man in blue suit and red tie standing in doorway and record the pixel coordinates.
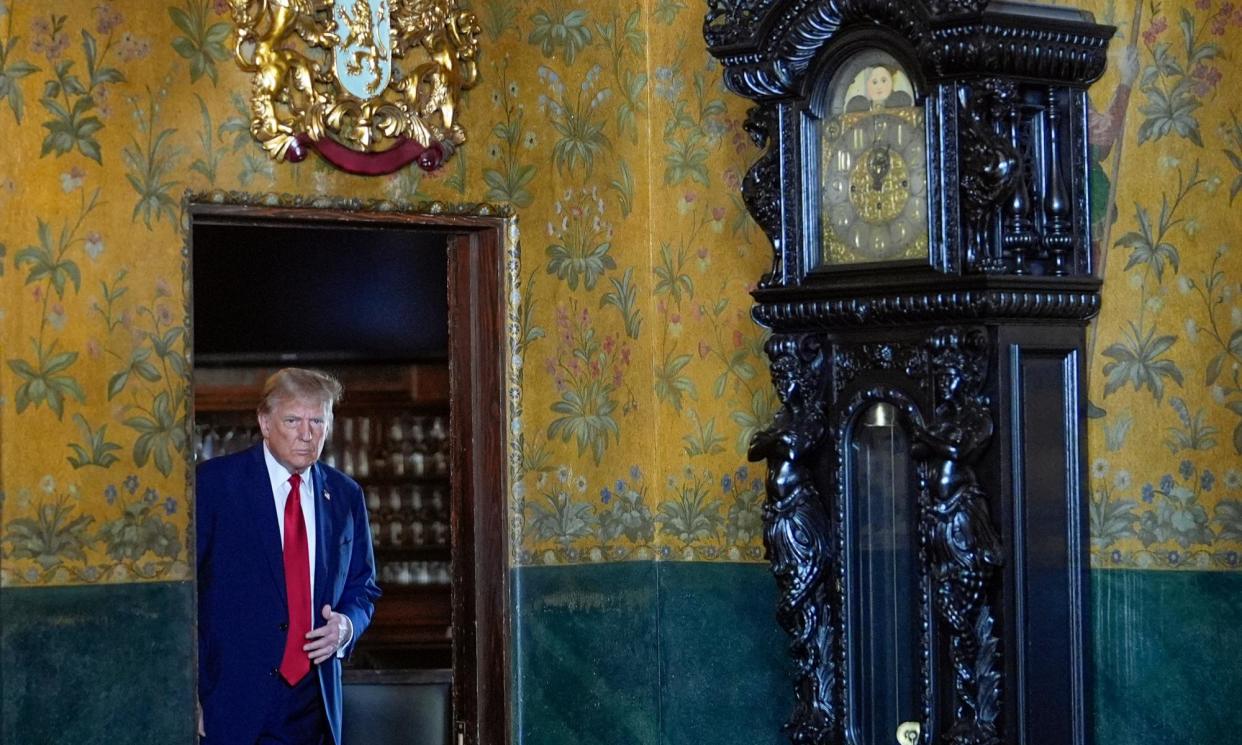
(286, 576)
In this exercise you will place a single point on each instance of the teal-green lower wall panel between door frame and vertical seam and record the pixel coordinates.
(586, 655)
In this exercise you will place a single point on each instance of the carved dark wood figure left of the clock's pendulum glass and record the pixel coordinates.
(798, 531)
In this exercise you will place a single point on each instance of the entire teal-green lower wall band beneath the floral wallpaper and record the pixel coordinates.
(643, 654)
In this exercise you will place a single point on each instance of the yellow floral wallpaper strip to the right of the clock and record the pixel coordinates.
(1166, 353)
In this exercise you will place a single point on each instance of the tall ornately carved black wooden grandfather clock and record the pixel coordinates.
(925, 184)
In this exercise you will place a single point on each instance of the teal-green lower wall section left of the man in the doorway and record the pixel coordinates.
(107, 664)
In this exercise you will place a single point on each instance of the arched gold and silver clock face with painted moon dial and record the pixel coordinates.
(874, 173)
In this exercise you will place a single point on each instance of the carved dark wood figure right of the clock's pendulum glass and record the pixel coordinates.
(966, 549)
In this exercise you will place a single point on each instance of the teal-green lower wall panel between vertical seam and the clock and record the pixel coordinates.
(725, 672)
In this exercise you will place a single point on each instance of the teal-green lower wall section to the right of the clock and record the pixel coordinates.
(1168, 657)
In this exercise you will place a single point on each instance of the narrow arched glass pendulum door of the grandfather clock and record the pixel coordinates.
(882, 579)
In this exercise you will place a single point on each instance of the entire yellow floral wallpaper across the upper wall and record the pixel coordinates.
(608, 130)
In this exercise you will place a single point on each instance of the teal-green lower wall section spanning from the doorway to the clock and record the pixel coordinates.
(648, 654)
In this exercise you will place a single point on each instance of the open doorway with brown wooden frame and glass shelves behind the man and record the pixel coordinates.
(409, 311)
